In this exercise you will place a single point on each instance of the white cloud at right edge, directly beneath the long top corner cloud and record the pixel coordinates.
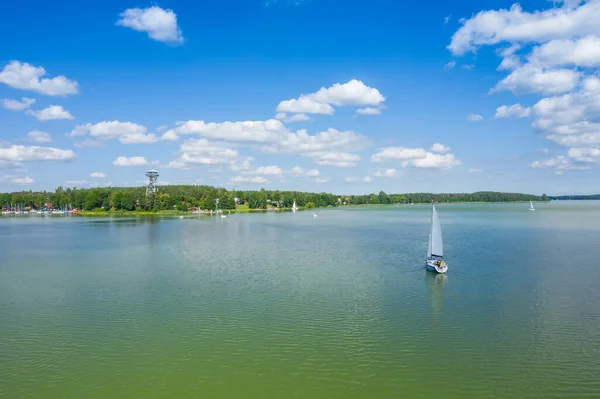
(583, 52)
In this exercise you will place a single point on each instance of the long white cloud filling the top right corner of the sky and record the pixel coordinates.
(515, 25)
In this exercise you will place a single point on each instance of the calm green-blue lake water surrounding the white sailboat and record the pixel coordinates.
(291, 306)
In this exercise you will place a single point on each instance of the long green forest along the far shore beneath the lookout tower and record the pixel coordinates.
(187, 197)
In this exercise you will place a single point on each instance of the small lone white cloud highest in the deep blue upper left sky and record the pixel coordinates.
(160, 24)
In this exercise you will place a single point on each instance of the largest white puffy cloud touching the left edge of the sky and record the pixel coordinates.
(27, 77)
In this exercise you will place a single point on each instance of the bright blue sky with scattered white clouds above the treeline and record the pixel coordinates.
(340, 96)
